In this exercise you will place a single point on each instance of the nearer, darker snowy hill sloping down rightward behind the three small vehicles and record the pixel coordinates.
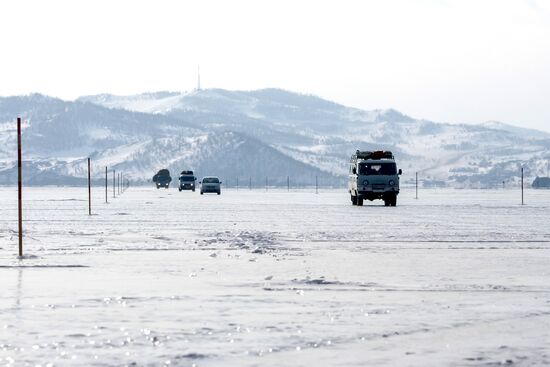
(58, 137)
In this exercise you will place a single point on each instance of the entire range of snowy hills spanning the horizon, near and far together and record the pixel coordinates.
(254, 134)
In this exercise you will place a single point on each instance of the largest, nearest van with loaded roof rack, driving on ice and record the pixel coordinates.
(373, 175)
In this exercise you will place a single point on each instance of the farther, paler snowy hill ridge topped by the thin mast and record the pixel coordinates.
(323, 134)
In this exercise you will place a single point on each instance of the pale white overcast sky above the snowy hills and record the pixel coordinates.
(446, 61)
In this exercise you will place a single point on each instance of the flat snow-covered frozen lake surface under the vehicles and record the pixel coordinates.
(255, 278)
